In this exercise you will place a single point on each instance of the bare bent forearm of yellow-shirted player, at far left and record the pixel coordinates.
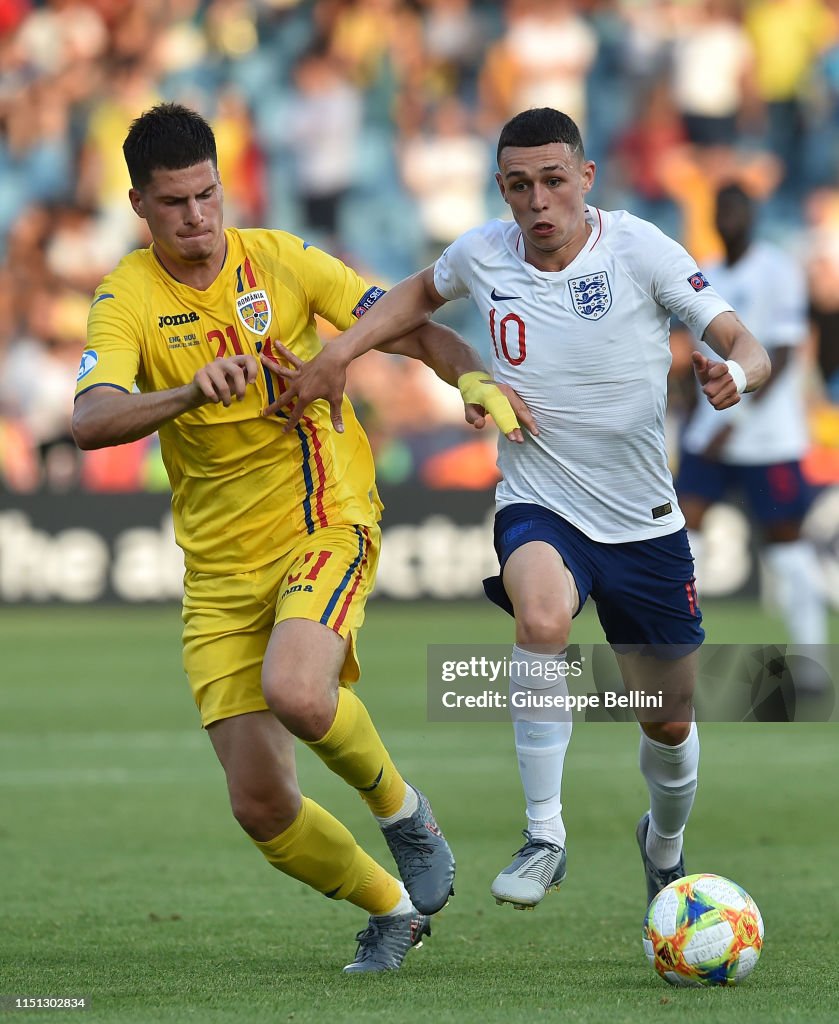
(105, 416)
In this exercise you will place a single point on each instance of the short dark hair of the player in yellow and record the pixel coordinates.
(169, 137)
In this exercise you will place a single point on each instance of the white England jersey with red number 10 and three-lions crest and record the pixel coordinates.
(589, 351)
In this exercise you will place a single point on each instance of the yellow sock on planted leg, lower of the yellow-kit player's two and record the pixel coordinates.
(319, 850)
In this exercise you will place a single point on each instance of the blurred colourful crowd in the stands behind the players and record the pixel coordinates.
(369, 127)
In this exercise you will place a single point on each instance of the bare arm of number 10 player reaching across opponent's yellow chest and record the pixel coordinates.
(404, 309)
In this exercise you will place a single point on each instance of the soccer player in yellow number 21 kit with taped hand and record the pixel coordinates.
(279, 529)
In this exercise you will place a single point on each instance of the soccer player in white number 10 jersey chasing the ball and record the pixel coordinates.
(577, 305)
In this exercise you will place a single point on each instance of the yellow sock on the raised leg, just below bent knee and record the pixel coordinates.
(354, 751)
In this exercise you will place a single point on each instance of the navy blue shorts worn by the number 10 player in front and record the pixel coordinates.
(645, 591)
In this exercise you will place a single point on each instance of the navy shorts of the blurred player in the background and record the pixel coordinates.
(776, 493)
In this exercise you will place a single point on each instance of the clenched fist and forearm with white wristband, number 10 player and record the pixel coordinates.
(745, 366)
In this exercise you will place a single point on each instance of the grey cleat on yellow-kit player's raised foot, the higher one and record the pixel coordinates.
(424, 859)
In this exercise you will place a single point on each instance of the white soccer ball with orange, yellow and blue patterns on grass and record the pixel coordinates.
(703, 930)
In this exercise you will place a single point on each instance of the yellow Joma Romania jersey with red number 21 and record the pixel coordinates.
(242, 490)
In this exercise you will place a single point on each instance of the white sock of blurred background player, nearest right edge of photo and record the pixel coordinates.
(801, 590)
